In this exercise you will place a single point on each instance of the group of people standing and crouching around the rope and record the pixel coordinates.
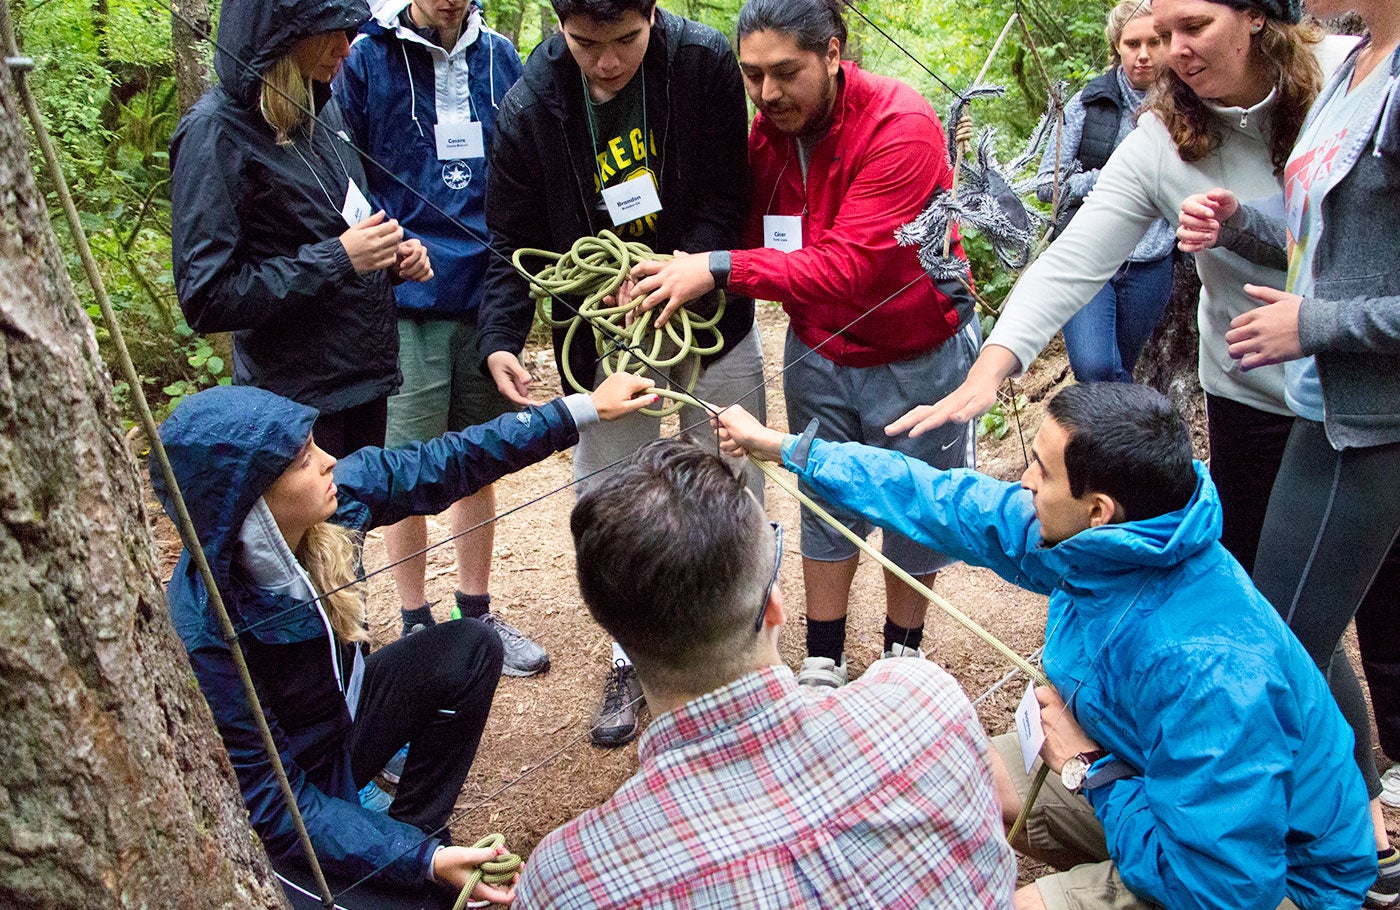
(1199, 751)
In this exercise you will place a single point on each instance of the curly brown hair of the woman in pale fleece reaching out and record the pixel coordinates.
(1290, 51)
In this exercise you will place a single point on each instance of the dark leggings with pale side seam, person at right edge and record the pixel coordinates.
(1332, 521)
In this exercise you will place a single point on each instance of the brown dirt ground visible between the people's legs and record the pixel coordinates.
(537, 769)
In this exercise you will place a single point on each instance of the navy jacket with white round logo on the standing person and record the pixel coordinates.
(393, 90)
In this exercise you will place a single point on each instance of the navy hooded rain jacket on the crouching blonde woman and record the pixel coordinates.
(227, 446)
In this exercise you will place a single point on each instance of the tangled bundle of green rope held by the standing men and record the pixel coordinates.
(625, 338)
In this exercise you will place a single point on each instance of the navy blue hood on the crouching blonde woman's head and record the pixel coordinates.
(227, 446)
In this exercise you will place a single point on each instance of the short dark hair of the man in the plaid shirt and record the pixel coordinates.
(674, 556)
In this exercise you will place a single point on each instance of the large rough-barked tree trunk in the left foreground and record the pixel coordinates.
(115, 790)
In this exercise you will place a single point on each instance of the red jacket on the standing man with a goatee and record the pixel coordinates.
(873, 173)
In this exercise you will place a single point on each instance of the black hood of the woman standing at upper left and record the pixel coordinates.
(255, 34)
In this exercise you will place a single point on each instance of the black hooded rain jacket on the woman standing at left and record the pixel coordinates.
(257, 226)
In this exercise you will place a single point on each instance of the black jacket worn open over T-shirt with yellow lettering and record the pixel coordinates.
(541, 185)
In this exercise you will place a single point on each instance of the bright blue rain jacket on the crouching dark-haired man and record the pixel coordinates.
(1170, 659)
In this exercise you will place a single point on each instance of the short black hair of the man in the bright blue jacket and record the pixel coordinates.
(1126, 442)
